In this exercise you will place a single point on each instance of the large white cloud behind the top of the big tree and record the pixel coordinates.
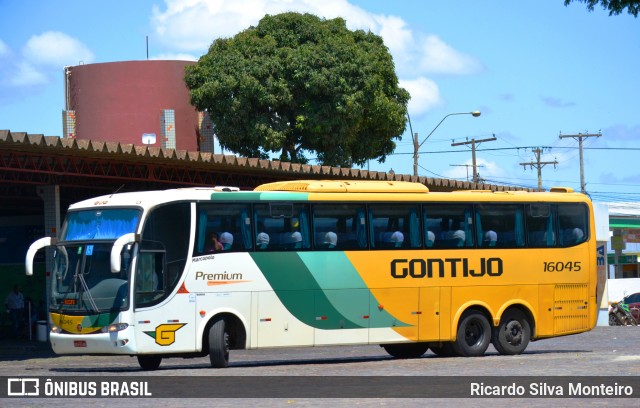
(192, 25)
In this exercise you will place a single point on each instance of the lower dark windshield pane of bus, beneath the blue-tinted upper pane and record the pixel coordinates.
(83, 283)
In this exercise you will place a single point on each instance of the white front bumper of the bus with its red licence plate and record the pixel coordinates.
(122, 342)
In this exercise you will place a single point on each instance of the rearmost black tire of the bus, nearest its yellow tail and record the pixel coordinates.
(512, 336)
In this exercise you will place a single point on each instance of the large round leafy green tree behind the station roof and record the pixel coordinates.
(296, 83)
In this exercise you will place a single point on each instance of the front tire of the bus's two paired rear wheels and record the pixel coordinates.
(474, 335)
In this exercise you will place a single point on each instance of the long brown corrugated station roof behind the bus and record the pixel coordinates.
(84, 168)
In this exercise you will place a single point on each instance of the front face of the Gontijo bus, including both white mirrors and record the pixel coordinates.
(89, 303)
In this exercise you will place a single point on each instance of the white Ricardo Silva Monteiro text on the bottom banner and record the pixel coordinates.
(535, 389)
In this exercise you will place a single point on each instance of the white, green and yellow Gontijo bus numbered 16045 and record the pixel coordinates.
(197, 271)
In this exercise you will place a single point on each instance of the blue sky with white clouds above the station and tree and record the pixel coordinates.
(535, 69)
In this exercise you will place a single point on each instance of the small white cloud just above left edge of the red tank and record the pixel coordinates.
(56, 49)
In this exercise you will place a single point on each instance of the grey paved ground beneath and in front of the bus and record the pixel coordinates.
(610, 352)
